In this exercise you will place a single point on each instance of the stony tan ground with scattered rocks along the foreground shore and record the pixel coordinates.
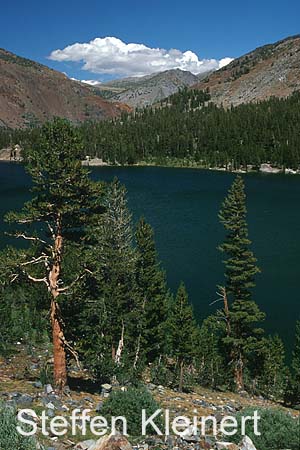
(22, 386)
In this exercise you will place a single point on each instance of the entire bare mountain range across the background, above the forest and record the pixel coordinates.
(31, 93)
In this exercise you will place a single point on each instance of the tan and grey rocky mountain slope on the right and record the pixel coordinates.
(271, 70)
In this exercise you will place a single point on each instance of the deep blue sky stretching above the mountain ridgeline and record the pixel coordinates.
(212, 30)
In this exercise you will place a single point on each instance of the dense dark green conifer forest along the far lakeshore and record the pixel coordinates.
(189, 130)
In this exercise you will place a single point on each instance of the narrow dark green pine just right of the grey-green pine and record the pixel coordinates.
(152, 284)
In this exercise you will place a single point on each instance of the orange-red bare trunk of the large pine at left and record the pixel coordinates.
(59, 351)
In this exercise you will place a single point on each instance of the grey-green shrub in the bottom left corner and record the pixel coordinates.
(10, 439)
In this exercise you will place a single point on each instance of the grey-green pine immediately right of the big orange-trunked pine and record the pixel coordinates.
(117, 300)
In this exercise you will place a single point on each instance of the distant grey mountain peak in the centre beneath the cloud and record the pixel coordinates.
(147, 90)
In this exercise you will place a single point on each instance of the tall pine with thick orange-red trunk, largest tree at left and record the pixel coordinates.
(64, 202)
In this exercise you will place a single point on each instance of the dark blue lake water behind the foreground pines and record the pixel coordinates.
(182, 206)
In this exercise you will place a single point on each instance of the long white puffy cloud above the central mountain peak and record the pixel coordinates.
(112, 56)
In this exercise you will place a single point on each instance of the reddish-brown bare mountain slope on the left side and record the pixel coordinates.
(31, 93)
